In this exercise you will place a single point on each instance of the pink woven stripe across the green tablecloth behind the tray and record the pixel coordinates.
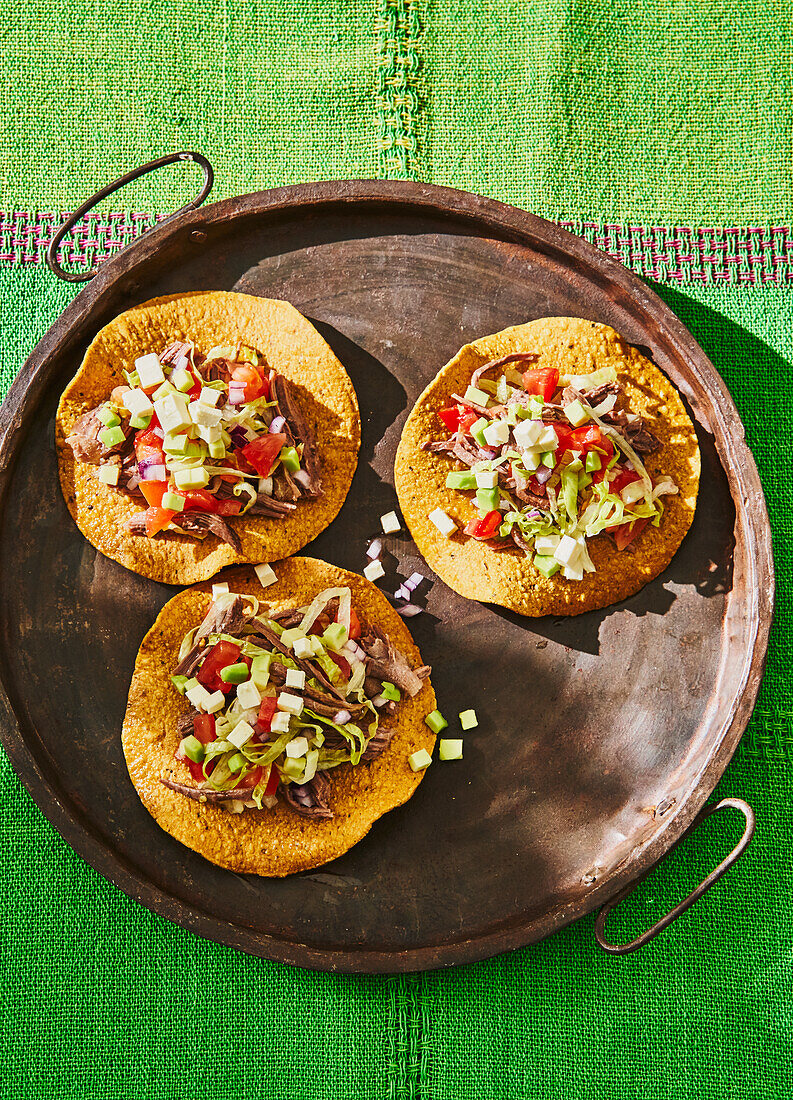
(748, 256)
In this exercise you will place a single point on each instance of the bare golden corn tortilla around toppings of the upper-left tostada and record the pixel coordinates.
(293, 347)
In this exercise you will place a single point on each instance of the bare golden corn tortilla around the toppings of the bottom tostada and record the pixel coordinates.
(277, 842)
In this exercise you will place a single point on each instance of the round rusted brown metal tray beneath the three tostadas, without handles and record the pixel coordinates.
(600, 738)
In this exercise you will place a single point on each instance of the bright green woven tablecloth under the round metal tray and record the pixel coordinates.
(662, 131)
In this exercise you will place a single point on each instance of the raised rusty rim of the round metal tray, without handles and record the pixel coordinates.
(503, 222)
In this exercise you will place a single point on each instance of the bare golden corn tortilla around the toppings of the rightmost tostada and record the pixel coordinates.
(508, 577)
